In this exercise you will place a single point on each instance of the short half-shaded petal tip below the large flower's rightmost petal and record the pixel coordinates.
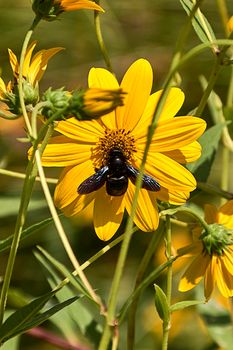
(186, 154)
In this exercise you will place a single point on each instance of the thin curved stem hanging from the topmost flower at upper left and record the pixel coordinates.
(20, 81)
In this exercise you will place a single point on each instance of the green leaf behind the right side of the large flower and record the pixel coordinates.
(209, 142)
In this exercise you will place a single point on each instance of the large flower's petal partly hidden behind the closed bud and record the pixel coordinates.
(102, 78)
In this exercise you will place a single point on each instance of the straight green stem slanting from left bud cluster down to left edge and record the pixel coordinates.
(29, 181)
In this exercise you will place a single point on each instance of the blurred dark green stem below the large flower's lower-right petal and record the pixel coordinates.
(150, 251)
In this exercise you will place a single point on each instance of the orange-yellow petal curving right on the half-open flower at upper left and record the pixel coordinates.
(39, 64)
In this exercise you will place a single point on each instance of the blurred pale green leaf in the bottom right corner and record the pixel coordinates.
(219, 324)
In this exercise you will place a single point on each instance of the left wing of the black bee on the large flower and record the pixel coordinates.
(94, 182)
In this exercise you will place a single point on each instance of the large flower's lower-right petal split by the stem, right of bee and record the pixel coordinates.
(146, 217)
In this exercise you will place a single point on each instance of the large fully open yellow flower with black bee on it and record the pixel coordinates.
(88, 145)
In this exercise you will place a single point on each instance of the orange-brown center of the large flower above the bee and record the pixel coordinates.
(113, 139)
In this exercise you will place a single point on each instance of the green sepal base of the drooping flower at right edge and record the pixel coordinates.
(217, 240)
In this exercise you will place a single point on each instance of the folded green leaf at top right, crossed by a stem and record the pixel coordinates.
(200, 23)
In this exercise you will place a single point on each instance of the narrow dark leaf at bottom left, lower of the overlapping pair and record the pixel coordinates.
(36, 321)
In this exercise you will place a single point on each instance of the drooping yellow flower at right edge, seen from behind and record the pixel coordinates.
(213, 254)
